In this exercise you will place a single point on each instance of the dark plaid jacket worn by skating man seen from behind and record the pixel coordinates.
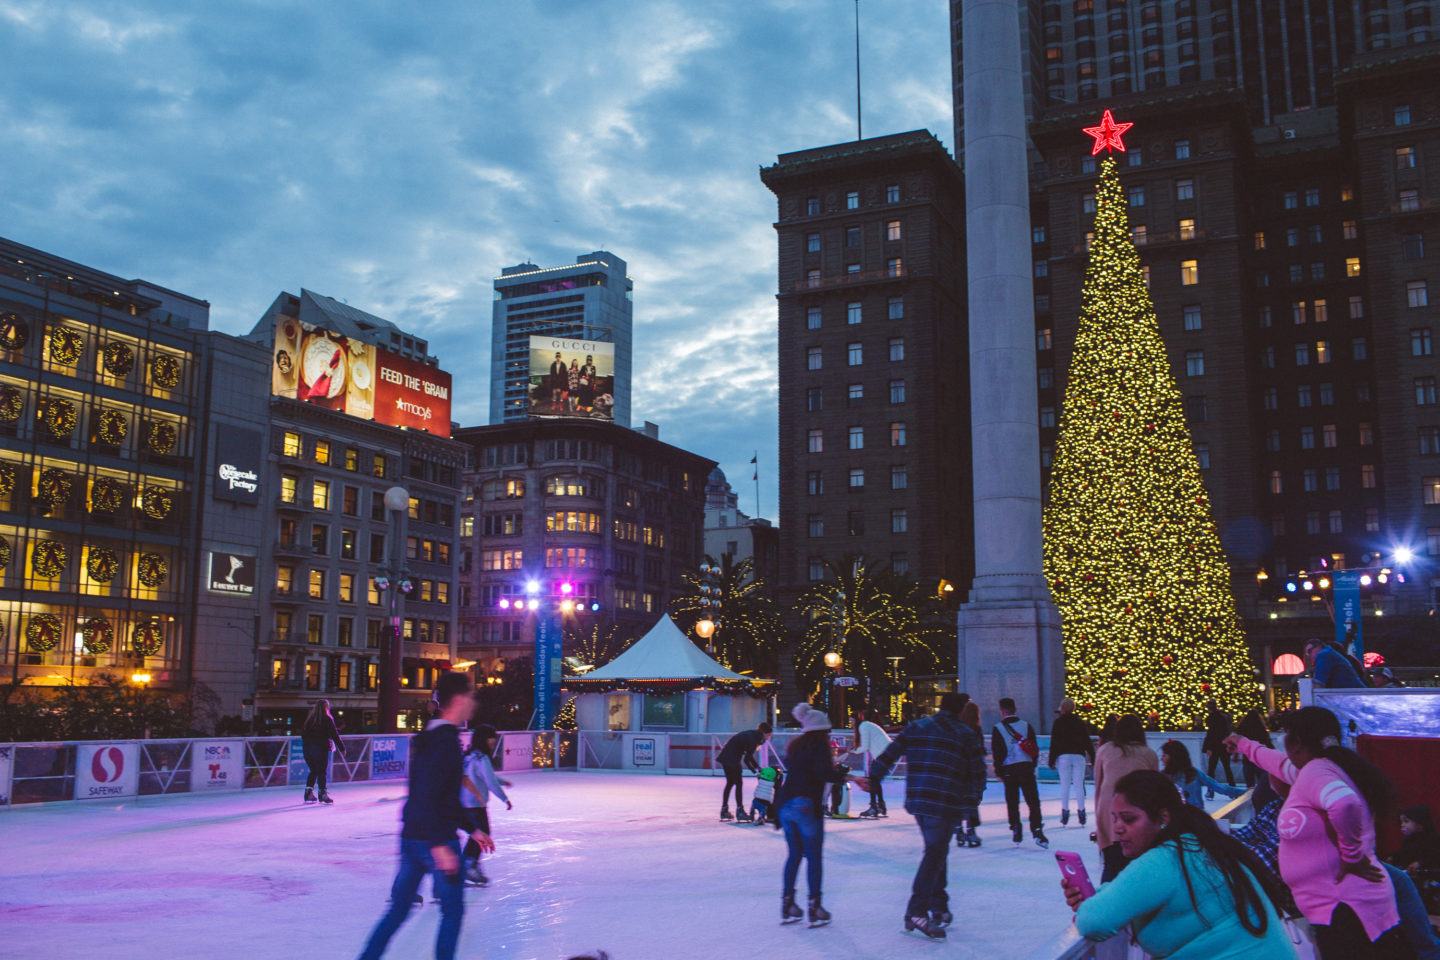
(945, 768)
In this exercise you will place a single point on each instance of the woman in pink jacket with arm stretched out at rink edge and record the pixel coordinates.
(1328, 837)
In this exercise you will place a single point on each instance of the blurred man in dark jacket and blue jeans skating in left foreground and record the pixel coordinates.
(430, 823)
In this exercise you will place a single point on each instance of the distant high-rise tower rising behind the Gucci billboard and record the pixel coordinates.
(588, 300)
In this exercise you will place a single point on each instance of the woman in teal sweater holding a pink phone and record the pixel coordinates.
(1190, 892)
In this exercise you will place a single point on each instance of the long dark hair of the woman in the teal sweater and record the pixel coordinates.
(1154, 794)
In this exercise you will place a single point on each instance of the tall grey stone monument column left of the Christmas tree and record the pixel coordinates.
(1009, 628)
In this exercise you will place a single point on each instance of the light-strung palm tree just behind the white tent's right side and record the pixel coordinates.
(748, 624)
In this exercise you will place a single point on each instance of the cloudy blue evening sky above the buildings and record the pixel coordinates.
(398, 155)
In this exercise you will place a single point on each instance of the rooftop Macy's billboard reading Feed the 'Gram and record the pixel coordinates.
(329, 371)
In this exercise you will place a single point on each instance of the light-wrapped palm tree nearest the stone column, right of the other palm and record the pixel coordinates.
(869, 617)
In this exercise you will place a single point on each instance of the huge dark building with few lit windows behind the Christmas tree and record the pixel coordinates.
(1281, 185)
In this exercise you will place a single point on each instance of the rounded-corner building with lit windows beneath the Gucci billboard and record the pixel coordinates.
(616, 515)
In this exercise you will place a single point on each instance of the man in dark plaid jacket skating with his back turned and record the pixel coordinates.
(945, 779)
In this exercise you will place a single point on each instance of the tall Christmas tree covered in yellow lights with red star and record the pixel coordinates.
(1131, 548)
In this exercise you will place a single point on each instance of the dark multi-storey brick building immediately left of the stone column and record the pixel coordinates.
(873, 343)
